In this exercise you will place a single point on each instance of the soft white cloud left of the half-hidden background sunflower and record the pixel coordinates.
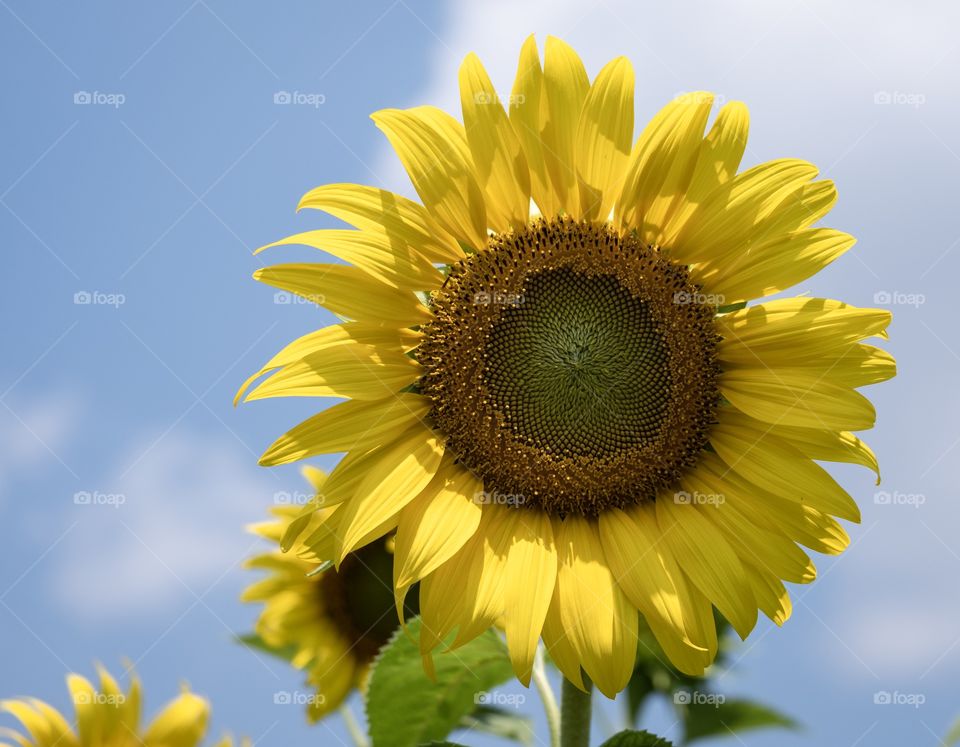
(178, 528)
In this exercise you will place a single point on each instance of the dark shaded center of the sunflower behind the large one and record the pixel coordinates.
(359, 599)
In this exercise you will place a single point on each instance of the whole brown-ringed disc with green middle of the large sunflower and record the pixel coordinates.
(571, 368)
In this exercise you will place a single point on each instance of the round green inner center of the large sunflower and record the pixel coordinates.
(577, 366)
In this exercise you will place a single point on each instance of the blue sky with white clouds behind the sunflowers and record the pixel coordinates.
(151, 197)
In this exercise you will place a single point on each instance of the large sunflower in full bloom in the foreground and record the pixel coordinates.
(556, 391)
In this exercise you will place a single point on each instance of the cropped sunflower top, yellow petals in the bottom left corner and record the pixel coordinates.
(108, 717)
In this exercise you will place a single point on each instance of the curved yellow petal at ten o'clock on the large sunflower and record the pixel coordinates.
(369, 208)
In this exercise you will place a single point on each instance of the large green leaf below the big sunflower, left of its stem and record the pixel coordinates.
(405, 708)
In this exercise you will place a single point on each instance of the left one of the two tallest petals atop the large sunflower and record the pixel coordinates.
(526, 100)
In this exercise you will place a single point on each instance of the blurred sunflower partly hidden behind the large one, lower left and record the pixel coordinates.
(332, 623)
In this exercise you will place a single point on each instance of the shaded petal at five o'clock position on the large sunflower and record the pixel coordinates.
(708, 560)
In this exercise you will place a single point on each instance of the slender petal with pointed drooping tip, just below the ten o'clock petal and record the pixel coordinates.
(395, 264)
